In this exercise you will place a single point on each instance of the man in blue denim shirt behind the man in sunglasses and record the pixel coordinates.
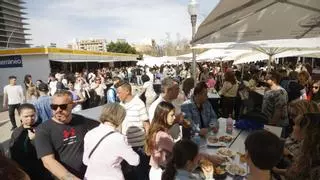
(42, 104)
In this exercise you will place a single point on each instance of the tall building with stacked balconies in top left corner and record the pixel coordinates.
(12, 25)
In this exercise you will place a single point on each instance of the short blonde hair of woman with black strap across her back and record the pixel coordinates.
(113, 113)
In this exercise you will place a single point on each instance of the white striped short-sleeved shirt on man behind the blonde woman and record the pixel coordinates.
(132, 125)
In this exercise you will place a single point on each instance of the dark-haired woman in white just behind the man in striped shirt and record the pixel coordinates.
(148, 90)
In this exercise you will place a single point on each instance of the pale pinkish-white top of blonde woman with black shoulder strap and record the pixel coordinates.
(104, 163)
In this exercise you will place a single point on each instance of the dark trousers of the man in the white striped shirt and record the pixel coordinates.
(140, 172)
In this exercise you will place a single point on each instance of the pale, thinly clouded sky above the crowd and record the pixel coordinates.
(137, 21)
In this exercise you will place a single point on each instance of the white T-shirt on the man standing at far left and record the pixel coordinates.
(14, 94)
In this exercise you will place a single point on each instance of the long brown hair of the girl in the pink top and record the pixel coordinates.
(159, 123)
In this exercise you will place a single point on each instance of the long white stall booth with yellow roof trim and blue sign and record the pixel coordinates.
(40, 62)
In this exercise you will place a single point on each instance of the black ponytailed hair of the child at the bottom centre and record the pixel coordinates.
(183, 151)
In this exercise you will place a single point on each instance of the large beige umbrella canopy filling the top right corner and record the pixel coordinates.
(252, 20)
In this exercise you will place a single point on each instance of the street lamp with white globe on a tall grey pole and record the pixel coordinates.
(193, 7)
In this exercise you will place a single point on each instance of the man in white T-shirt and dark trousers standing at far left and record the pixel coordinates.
(12, 98)
